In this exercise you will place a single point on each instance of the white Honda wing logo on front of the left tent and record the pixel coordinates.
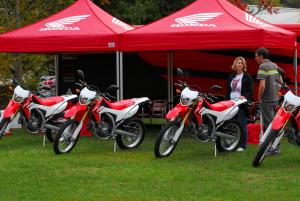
(61, 25)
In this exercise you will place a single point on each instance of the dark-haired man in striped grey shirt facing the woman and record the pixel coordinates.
(267, 90)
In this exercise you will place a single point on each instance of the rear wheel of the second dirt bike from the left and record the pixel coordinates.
(134, 126)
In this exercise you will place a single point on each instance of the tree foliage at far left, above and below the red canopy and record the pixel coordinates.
(16, 14)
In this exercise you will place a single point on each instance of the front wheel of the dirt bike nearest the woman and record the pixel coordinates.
(165, 144)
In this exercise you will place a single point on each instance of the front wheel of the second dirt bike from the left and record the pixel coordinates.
(64, 142)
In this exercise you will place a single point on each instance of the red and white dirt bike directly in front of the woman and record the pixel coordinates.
(210, 121)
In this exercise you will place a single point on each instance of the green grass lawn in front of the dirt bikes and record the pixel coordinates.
(92, 171)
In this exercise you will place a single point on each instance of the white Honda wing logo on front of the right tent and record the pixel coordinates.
(196, 20)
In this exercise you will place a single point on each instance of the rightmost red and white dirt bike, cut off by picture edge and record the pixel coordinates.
(285, 123)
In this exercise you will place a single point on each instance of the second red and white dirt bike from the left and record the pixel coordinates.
(104, 118)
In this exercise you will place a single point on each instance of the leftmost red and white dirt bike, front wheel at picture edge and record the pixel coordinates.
(35, 114)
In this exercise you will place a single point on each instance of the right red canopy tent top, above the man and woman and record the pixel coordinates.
(207, 24)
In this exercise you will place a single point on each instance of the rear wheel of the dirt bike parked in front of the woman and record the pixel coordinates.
(230, 128)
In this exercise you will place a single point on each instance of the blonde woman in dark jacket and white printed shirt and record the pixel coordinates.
(239, 85)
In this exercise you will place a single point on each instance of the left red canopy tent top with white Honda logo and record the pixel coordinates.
(81, 27)
